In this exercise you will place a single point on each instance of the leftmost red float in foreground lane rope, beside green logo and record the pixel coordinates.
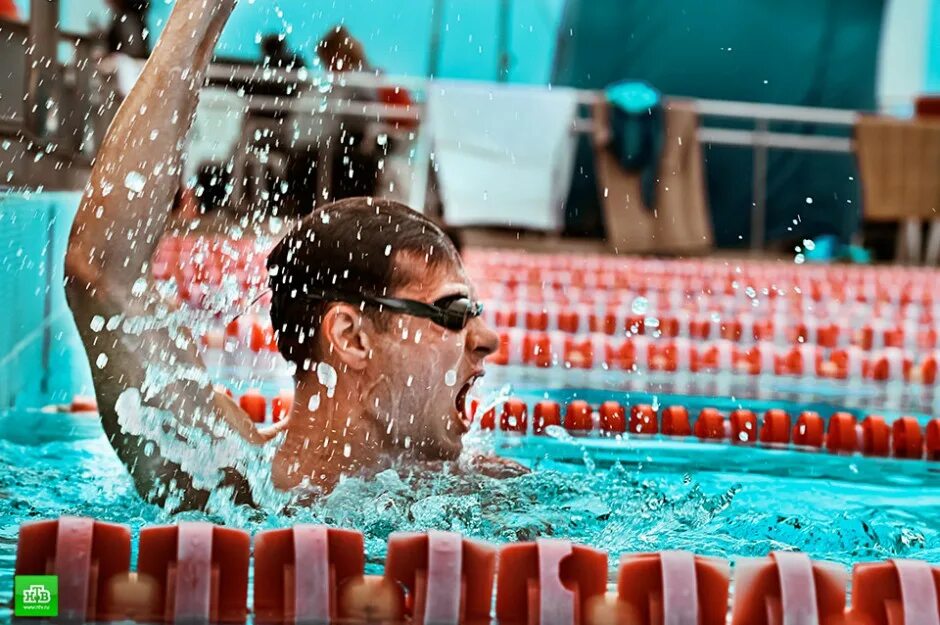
(85, 554)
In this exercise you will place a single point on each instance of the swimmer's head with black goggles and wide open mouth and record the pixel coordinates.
(408, 365)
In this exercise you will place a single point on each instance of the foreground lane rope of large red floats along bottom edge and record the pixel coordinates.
(307, 574)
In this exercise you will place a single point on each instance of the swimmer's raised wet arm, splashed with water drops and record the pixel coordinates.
(123, 213)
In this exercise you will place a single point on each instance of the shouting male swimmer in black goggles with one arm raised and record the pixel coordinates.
(370, 302)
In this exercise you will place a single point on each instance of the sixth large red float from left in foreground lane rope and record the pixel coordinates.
(674, 587)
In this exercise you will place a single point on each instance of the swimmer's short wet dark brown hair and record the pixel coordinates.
(351, 246)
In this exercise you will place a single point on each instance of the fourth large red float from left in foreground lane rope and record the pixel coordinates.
(448, 579)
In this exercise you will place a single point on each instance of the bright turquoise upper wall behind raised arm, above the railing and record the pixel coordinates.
(397, 35)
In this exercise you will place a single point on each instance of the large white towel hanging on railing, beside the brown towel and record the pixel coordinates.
(503, 154)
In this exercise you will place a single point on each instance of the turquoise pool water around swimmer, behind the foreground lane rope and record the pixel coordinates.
(635, 496)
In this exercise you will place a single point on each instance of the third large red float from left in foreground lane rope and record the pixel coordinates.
(300, 571)
